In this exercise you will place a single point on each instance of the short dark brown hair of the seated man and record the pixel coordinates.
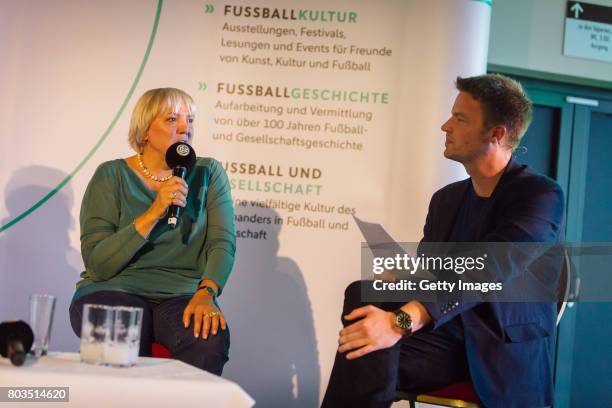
(503, 101)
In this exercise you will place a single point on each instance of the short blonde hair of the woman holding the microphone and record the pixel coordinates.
(152, 103)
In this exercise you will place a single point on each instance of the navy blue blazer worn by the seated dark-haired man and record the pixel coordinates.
(509, 345)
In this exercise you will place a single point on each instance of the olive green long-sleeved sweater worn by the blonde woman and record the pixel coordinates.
(168, 263)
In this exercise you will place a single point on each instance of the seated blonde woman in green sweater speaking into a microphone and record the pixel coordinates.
(133, 258)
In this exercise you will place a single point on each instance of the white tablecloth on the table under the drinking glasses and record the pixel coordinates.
(153, 382)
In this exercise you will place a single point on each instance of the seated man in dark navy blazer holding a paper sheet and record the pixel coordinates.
(504, 348)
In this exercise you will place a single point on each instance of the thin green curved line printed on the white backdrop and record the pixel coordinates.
(104, 135)
